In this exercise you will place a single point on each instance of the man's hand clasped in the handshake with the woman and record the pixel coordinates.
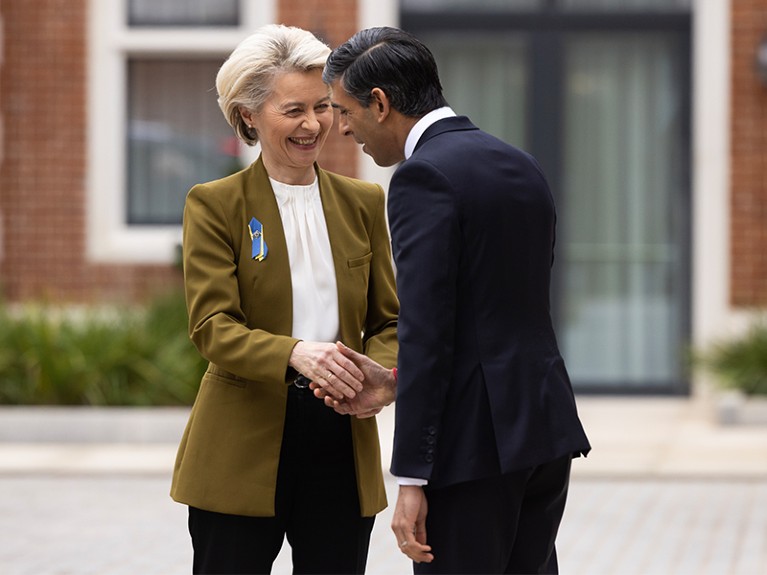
(378, 390)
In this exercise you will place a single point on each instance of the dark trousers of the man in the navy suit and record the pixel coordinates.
(503, 524)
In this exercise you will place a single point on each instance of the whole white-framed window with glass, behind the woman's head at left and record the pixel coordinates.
(155, 128)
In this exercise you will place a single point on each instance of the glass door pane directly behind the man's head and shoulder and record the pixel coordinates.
(484, 77)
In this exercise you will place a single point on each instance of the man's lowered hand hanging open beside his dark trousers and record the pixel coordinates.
(409, 523)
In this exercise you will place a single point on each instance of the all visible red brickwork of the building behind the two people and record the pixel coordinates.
(43, 164)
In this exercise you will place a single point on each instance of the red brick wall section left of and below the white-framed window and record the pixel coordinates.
(43, 170)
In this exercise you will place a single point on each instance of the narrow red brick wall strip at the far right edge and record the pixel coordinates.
(748, 272)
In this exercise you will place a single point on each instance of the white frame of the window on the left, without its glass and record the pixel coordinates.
(111, 43)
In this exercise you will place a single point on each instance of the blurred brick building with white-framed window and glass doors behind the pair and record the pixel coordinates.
(648, 116)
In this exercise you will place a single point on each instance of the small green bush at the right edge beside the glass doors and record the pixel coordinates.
(741, 363)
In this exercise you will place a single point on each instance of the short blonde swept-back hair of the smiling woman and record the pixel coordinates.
(246, 78)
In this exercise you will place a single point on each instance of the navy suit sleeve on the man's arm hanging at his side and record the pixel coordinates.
(425, 228)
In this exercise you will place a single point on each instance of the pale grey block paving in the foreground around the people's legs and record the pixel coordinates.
(128, 525)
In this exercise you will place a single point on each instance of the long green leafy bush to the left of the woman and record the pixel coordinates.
(124, 356)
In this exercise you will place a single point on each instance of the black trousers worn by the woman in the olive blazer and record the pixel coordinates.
(317, 506)
